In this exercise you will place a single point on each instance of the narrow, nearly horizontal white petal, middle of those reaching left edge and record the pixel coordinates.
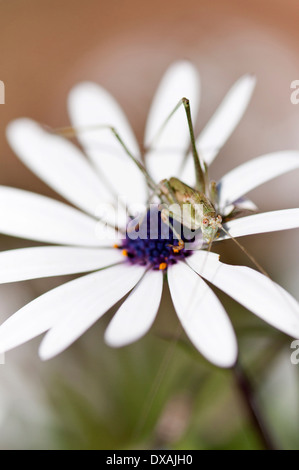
(32, 263)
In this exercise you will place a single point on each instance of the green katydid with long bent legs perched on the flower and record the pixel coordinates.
(200, 201)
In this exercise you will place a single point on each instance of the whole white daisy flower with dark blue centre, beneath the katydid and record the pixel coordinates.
(122, 265)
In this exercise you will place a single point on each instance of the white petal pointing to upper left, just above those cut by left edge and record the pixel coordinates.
(59, 163)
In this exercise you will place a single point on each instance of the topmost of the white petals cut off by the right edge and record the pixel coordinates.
(251, 174)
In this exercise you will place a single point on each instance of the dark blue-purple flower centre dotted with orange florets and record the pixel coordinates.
(151, 242)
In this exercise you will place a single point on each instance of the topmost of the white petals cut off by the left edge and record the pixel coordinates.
(28, 215)
